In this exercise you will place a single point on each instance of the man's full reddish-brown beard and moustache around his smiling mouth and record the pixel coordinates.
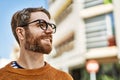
(35, 43)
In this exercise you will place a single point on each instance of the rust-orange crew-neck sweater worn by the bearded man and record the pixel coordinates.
(45, 73)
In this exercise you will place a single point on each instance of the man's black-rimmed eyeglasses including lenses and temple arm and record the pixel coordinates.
(43, 24)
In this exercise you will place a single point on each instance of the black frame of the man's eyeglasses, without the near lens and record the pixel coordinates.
(53, 26)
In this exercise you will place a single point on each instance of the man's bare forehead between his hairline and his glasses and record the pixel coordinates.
(39, 15)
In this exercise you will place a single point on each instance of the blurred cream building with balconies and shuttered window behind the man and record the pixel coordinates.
(86, 30)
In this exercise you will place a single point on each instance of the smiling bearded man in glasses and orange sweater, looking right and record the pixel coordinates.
(33, 32)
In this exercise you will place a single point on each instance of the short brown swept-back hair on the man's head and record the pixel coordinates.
(23, 16)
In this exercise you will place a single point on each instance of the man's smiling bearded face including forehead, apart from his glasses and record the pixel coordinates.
(38, 40)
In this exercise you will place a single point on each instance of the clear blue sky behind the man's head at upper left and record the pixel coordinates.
(7, 9)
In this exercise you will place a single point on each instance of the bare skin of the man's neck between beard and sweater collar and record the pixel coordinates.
(31, 60)
